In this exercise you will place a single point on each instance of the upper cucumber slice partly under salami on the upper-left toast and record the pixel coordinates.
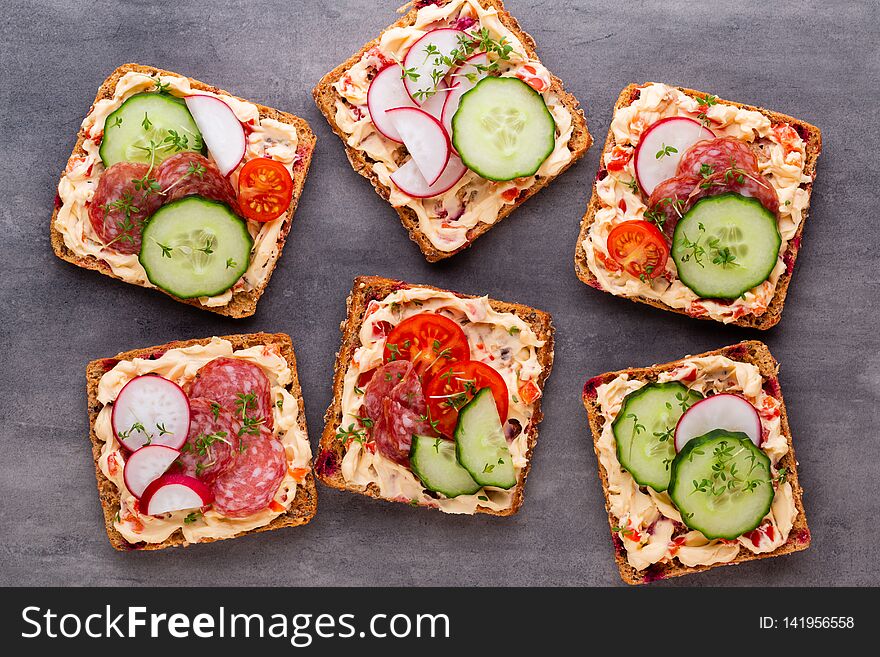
(148, 128)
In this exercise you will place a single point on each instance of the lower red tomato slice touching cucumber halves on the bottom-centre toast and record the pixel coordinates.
(447, 392)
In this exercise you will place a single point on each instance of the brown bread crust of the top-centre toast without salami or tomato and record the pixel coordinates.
(325, 98)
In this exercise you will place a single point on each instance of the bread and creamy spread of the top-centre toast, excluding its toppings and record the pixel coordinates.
(447, 223)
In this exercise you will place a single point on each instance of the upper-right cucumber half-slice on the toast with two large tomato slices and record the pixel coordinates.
(480, 444)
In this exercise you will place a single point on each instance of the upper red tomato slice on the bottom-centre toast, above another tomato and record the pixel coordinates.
(429, 341)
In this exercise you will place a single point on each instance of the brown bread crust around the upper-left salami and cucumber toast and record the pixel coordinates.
(244, 302)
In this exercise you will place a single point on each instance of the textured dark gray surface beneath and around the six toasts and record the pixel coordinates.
(818, 62)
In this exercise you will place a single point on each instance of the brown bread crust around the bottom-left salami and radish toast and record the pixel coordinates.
(304, 505)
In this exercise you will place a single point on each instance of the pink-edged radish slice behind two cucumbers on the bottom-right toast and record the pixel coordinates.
(725, 411)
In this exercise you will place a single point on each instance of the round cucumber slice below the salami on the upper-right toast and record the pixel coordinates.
(725, 245)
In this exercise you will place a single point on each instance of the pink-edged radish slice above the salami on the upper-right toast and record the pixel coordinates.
(678, 133)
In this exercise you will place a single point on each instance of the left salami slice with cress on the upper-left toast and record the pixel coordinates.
(120, 207)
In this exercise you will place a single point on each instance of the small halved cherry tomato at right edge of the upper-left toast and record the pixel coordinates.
(264, 189)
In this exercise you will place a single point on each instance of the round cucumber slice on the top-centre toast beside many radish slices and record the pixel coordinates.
(502, 129)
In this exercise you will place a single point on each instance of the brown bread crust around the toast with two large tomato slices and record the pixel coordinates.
(367, 288)
